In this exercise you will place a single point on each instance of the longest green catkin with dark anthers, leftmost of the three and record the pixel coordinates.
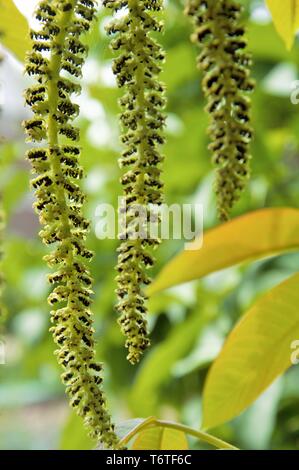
(56, 61)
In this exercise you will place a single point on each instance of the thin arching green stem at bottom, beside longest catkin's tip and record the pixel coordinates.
(200, 435)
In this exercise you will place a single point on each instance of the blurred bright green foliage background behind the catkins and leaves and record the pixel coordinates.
(188, 323)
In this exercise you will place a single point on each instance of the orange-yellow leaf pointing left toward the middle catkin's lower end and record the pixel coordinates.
(253, 236)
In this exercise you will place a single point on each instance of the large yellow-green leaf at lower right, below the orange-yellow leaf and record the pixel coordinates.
(256, 352)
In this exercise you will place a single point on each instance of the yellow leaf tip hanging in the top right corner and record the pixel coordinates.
(285, 16)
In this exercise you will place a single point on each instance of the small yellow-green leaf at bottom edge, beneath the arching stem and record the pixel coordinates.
(159, 438)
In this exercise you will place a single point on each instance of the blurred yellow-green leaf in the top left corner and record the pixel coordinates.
(14, 29)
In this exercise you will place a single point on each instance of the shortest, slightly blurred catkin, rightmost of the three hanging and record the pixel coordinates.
(226, 68)
